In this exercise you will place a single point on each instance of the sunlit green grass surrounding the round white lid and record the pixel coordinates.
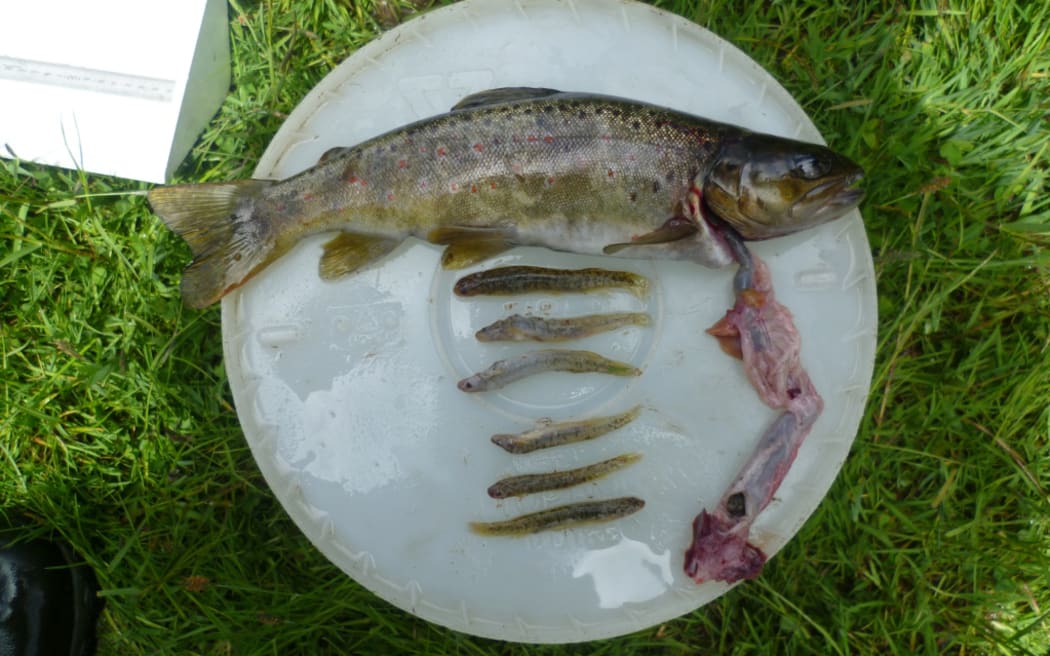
(118, 433)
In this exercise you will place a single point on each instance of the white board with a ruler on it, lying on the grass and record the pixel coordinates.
(120, 88)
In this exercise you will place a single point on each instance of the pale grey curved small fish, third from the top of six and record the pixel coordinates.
(505, 372)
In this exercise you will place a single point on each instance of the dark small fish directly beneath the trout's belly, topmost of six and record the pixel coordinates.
(512, 281)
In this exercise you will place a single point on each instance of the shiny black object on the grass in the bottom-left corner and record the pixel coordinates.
(49, 606)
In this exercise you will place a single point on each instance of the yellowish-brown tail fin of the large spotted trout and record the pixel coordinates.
(219, 222)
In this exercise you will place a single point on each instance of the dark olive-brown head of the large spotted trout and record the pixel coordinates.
(767, 186)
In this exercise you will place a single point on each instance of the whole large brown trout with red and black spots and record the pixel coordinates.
(511, 167)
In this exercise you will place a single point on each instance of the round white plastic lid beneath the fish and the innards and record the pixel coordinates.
(347, 391)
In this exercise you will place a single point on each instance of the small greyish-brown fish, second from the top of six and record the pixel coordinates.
(518, 328)
